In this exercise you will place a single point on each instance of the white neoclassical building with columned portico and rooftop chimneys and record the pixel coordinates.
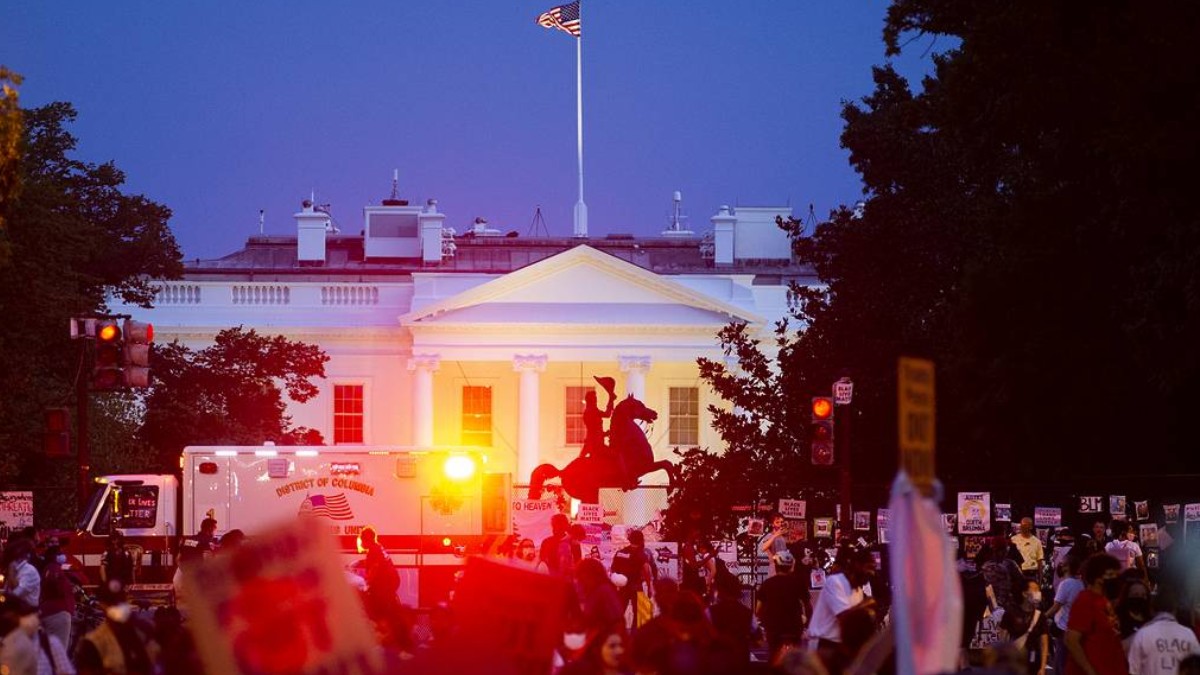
(491, 339)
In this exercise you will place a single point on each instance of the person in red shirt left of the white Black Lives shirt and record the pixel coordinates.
(1094, 641)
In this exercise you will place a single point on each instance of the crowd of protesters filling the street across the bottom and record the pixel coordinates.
(1087, 606)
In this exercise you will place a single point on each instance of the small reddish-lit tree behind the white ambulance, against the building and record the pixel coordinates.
(229, 395)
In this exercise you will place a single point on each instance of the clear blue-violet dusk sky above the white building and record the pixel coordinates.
(219, 110)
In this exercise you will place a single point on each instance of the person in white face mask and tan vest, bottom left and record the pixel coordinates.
(121, 644)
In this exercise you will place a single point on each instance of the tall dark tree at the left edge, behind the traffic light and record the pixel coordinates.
(74, 240)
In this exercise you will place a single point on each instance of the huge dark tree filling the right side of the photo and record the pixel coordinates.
(1029, 226)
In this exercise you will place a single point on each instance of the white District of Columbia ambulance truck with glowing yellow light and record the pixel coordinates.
(431, 507)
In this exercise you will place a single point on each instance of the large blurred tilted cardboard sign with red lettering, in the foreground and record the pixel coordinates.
(280, 604)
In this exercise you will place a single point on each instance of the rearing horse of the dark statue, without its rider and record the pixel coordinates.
(584, 477)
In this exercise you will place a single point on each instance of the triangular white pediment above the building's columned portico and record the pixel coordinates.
(581, 286)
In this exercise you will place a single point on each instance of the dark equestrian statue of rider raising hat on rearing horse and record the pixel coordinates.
(620, 463)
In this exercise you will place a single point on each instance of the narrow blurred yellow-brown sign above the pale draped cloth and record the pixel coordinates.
(917, 403)
